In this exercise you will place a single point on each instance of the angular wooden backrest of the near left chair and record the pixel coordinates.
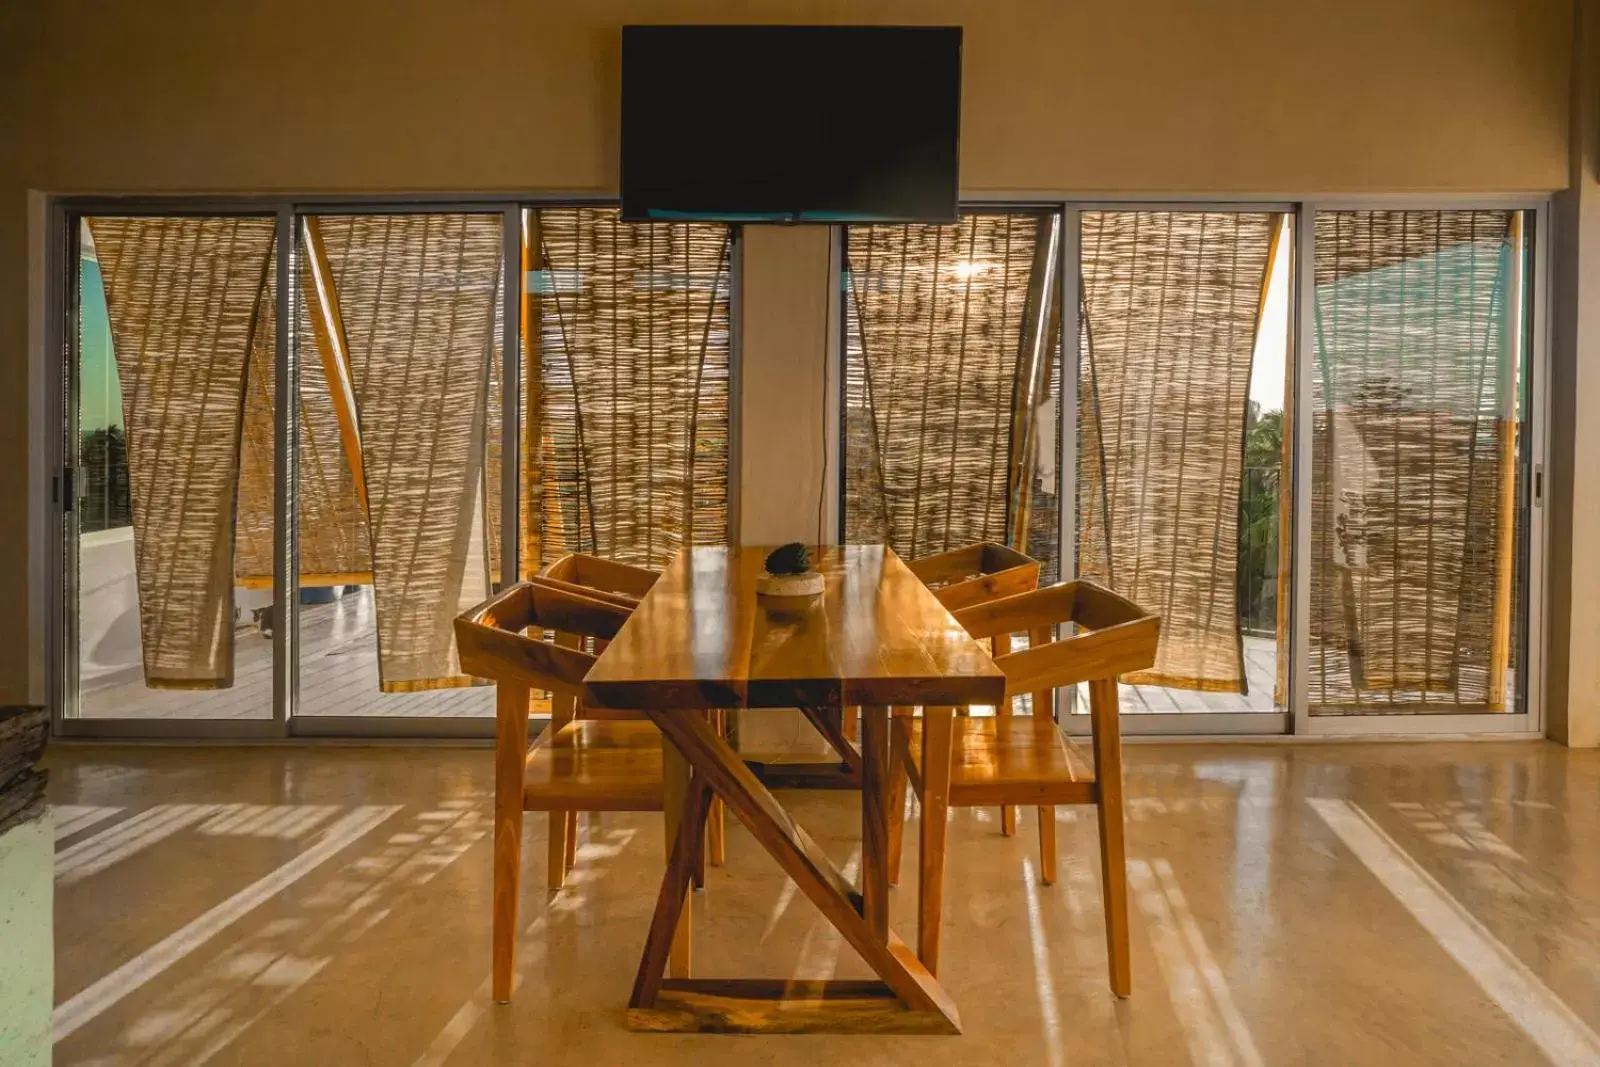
(495, 641)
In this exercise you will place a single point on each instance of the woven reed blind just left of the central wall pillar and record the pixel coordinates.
(628, 386)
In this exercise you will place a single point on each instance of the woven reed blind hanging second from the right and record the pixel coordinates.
(1170, 310)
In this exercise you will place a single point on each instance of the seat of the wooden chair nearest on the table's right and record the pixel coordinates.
(1009, 761)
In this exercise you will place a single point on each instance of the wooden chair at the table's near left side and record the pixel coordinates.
(580, 765)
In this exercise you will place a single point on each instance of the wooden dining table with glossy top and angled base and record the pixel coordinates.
(876, 639)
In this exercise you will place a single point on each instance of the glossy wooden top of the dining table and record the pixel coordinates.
(703, 639)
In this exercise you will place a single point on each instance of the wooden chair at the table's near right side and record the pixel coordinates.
(1030, 761)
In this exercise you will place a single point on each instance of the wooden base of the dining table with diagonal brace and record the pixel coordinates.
(906, 997)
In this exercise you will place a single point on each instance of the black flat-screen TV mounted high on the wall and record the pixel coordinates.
(828, 124)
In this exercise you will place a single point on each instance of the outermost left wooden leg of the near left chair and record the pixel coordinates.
(511, 748)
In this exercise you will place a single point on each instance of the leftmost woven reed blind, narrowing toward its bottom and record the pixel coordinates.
(186, 298)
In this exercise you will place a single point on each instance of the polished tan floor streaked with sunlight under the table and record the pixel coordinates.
(1292, 905)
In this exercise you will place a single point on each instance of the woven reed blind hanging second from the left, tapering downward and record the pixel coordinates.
(418, 297)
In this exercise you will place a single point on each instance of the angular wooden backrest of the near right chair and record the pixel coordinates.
(1114, 637)
